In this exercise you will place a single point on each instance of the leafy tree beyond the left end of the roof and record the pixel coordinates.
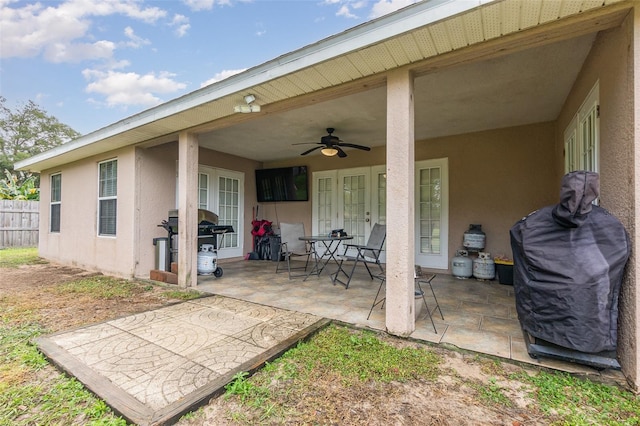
(28, 130)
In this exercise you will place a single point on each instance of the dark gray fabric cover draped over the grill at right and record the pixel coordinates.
(569, 261)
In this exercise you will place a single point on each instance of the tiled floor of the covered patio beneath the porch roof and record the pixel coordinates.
(479, 316)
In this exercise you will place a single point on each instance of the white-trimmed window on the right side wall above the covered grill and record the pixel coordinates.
(582, 136)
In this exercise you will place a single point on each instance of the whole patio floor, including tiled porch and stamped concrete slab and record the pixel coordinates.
(155, 366)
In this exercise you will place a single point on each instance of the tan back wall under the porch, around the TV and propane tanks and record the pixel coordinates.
(495, 178)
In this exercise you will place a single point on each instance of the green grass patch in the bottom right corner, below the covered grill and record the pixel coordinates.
(582, 402)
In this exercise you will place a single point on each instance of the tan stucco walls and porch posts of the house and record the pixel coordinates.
(495, 178)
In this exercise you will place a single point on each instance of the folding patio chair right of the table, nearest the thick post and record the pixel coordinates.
(361, 254)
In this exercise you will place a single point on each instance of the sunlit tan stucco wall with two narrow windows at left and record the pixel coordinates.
(78, 242)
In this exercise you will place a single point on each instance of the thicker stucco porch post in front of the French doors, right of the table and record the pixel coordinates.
(400, 249)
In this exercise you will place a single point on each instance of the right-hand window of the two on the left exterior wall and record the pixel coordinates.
(107, 197)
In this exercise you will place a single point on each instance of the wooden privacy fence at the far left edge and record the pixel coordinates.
(18, 223)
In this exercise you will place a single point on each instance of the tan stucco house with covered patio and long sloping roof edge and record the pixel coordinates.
(472, 112)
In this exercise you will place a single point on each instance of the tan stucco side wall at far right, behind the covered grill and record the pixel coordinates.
(611, 63)
